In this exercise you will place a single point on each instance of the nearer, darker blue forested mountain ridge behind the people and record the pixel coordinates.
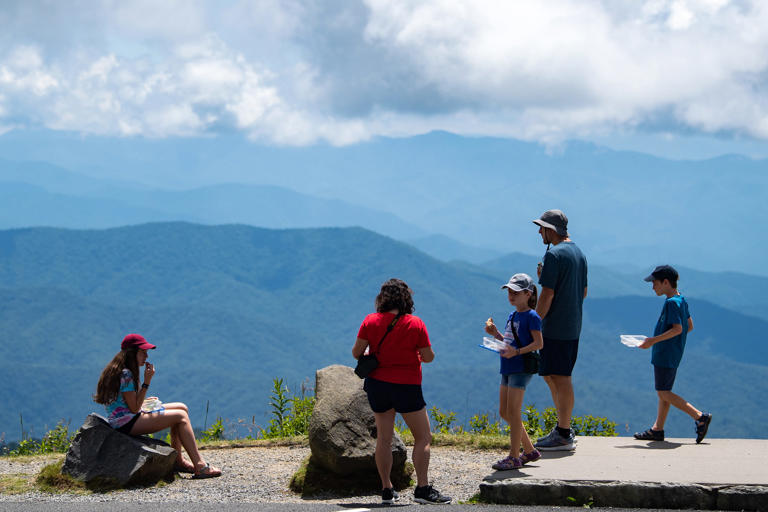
(232, 306)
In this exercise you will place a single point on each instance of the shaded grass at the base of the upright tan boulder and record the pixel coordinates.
(310, 480)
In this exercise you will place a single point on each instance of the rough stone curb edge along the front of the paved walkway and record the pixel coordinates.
(625, 494)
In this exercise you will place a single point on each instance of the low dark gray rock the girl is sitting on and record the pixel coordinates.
(101, 454)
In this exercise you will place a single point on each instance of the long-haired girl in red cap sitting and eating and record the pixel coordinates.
(120, 393)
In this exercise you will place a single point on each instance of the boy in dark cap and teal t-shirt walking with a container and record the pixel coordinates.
(668, 342)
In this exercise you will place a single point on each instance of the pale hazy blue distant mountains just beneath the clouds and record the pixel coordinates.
(454, 197)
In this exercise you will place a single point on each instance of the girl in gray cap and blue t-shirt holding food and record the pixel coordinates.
(522, 335)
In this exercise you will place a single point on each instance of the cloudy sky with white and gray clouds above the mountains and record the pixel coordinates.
(679, 78)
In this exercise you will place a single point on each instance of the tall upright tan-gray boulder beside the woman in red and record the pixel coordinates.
(342, 430)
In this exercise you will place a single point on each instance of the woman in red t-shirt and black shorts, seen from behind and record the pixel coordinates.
(395, 385)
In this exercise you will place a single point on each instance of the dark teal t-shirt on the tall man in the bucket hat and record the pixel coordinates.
(564, 271)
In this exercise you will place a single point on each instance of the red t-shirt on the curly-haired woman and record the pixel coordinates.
(399, 360)
